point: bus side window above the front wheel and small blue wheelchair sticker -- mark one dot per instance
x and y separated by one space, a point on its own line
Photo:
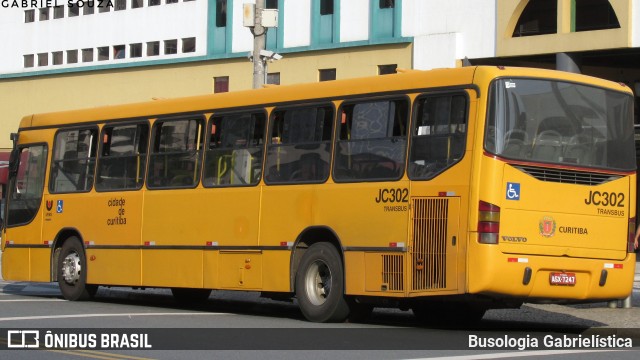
74 159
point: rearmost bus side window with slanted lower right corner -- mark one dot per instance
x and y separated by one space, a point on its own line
438 135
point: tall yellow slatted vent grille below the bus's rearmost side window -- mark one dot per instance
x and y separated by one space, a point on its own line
428 251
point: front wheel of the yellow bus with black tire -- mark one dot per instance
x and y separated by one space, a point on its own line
72 272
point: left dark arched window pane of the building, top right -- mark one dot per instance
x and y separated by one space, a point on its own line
539 17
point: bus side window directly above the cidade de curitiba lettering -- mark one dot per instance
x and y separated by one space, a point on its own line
123 157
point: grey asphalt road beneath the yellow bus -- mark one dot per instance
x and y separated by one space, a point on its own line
237 325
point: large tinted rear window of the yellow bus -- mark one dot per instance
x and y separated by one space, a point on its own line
561 123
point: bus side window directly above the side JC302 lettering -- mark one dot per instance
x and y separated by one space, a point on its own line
372 141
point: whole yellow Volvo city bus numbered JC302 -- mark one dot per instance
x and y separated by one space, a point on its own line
449 191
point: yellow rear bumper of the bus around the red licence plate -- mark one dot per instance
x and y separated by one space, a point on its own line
507 275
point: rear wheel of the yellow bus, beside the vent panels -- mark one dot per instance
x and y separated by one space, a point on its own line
320 285
